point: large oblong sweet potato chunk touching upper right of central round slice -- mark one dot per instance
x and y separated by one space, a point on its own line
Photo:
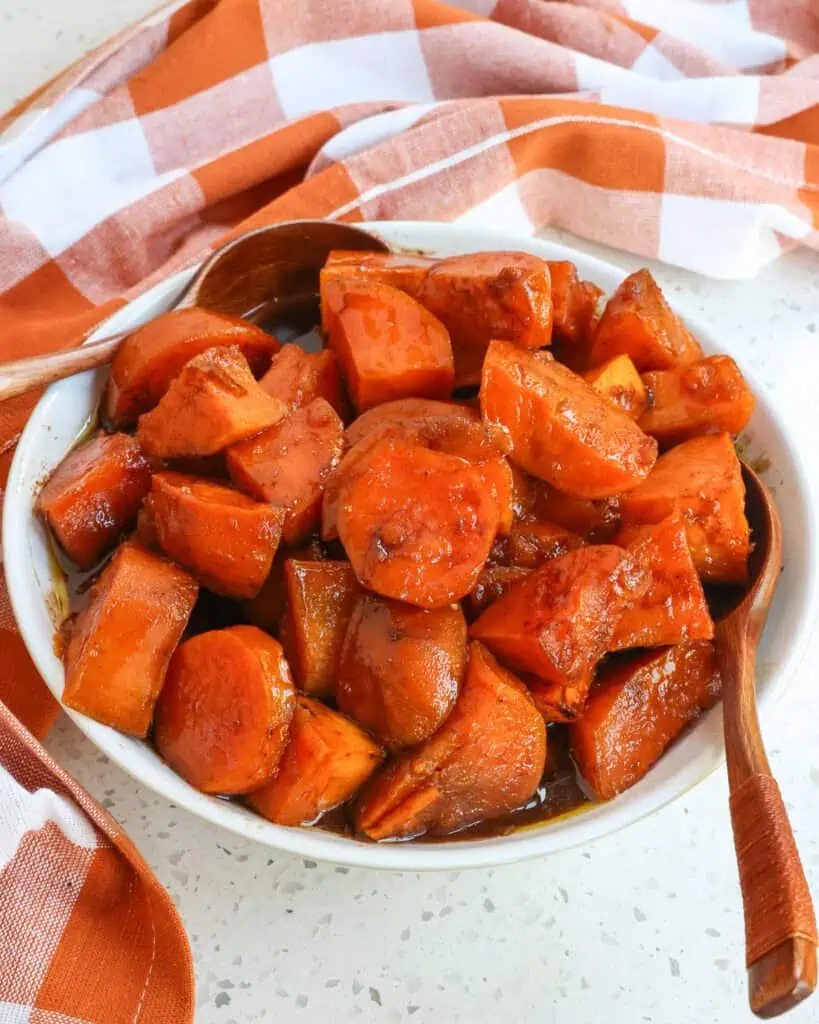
559 430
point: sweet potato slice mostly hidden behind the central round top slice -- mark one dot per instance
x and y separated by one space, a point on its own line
440 426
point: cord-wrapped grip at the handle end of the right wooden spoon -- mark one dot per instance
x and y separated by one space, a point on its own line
781 927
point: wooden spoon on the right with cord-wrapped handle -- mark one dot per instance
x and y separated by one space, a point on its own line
781 928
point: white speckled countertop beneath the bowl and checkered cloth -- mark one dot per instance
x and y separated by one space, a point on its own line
641 927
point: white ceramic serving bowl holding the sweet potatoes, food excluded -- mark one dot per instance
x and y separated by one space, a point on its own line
65 410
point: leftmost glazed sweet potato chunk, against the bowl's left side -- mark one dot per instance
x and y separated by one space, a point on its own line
95 496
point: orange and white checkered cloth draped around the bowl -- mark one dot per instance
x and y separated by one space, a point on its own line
686 131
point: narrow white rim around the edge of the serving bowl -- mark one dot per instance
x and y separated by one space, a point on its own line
552 837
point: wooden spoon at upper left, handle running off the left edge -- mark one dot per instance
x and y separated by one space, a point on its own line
263 275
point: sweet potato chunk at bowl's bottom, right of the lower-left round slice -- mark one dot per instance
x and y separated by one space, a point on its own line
326 762
